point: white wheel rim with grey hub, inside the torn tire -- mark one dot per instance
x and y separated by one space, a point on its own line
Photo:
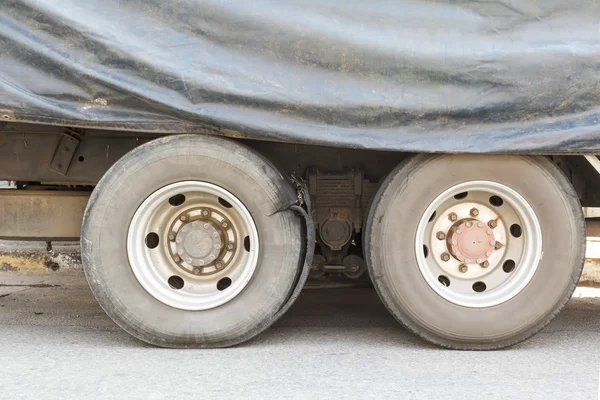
193 245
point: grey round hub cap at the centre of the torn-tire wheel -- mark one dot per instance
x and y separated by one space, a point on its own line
198 243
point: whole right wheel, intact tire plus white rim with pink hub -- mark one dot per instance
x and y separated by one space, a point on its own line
475 252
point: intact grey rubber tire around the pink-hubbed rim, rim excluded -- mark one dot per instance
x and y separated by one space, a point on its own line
390 249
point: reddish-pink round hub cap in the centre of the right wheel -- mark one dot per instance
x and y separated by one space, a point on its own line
471 241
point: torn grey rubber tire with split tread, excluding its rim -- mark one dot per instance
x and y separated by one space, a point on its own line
252 179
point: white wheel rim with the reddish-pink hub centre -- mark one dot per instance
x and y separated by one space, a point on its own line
478 244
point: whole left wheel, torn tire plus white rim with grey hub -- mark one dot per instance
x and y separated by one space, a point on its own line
187 241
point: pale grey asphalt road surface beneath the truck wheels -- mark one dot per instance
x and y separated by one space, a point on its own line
56 343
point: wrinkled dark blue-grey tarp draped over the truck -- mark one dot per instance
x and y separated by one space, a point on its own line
465 76
